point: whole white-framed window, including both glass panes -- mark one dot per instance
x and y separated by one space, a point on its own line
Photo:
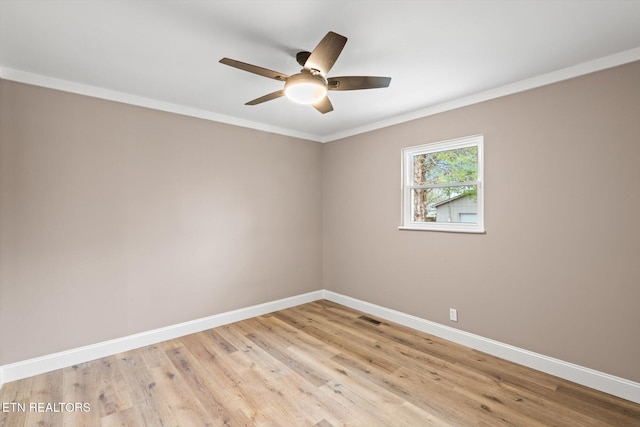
442 187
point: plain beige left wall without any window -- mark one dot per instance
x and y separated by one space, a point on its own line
117 219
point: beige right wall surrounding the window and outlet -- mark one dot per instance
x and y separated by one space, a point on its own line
555 273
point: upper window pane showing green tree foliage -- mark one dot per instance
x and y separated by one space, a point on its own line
446 167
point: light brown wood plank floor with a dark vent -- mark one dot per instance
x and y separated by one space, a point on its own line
318 364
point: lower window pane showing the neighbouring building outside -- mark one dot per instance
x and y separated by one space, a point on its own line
447 204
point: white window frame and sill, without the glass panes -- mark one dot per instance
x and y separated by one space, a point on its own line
407 185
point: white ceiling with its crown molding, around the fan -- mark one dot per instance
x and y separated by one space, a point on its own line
440 54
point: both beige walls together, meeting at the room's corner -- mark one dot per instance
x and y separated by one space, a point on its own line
116 219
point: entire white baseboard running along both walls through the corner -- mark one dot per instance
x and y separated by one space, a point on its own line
616 386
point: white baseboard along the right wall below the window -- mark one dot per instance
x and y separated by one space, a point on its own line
601 381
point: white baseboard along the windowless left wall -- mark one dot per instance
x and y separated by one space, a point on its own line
51 362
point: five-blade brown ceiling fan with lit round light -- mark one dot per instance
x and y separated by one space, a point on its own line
311 84
